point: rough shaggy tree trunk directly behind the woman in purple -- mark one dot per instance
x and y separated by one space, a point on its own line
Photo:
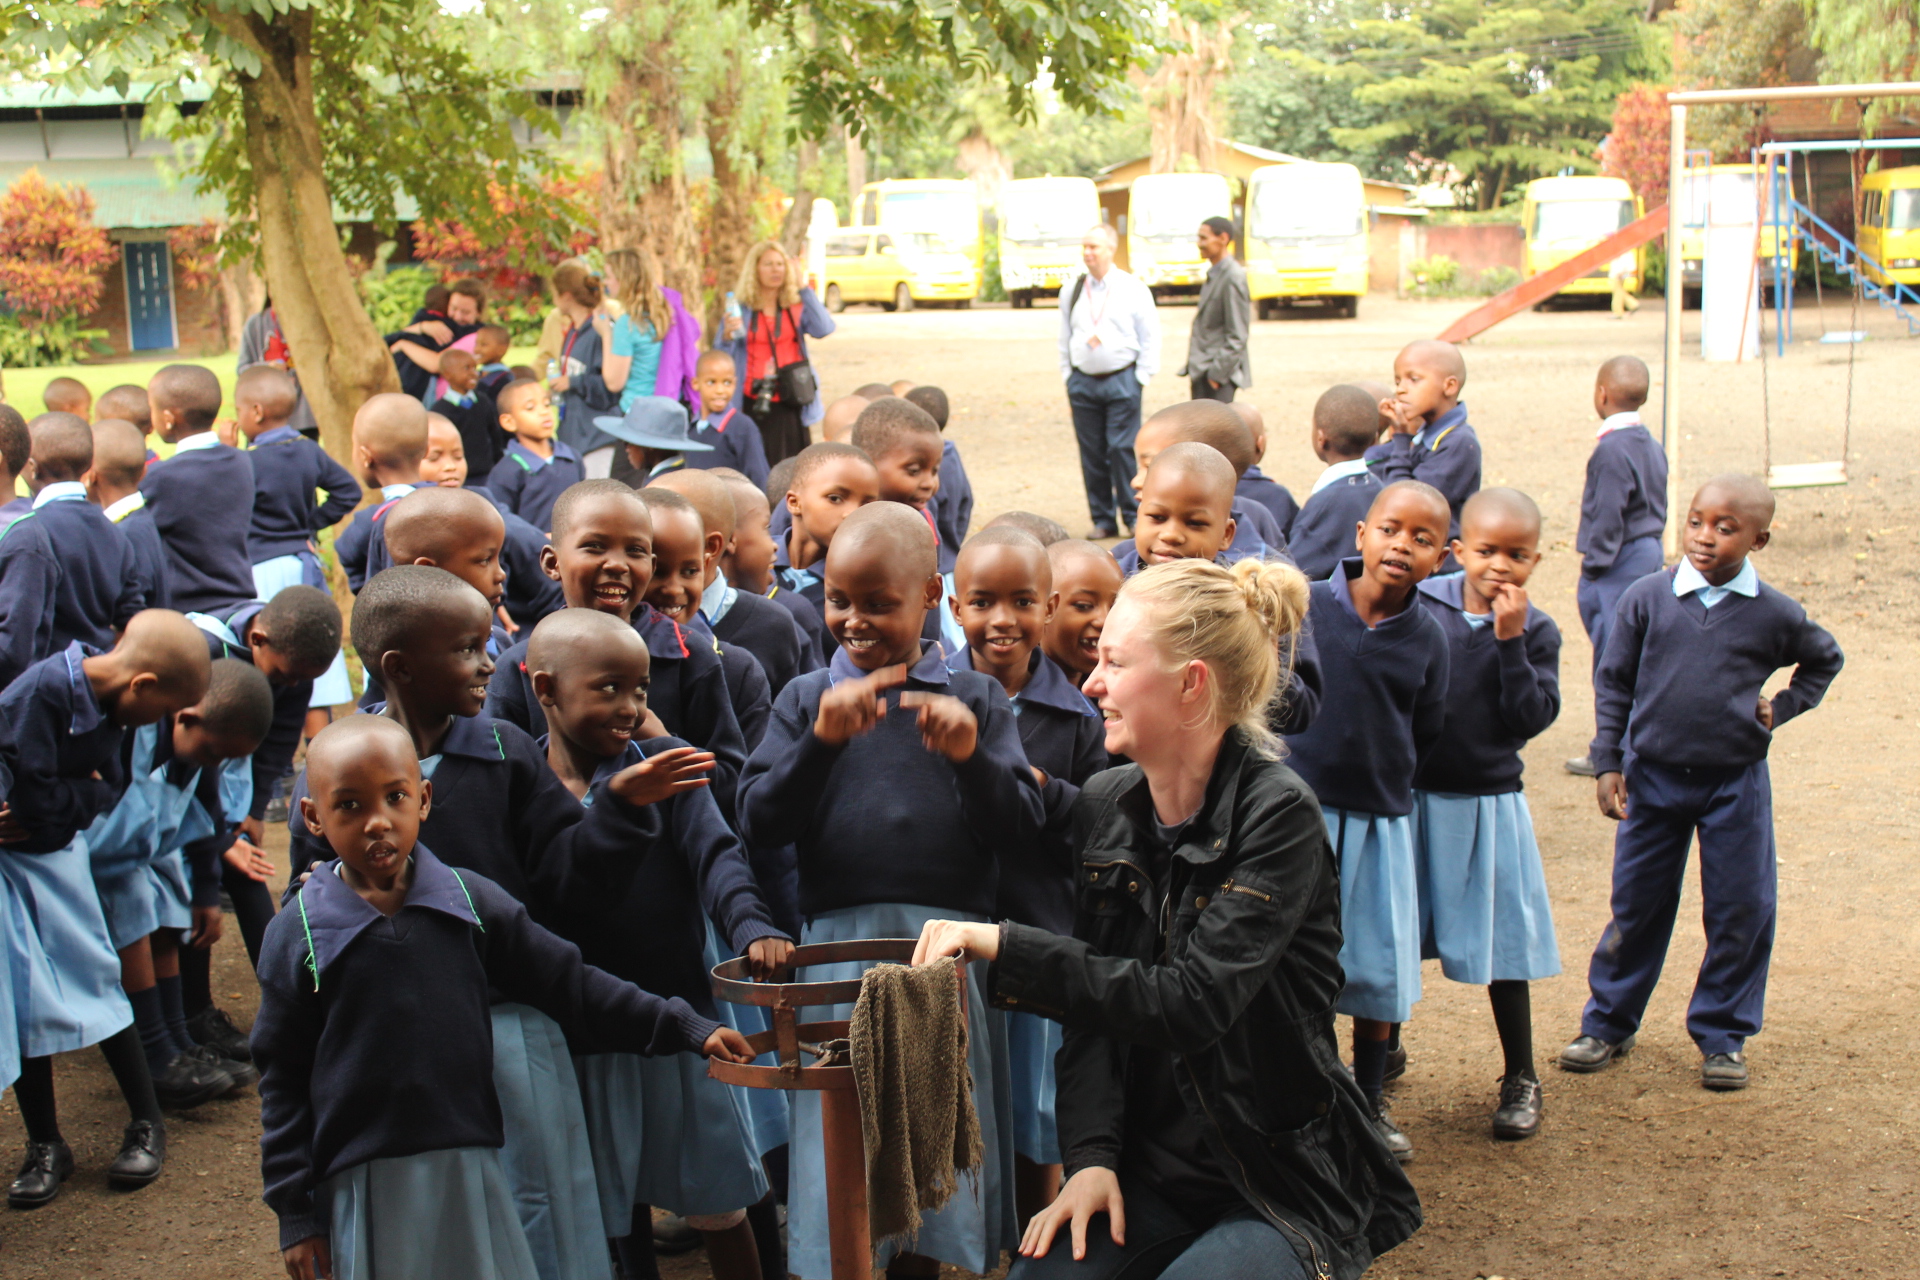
644 199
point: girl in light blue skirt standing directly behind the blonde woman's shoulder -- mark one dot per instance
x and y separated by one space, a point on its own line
1385 661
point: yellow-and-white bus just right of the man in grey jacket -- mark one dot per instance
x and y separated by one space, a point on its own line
1307 237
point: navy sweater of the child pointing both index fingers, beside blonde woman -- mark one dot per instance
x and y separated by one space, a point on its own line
882 818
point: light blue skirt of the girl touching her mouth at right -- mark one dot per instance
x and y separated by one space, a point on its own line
1485 913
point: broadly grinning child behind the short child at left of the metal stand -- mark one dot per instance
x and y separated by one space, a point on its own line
602 556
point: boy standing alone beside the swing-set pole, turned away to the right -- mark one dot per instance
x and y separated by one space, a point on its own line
1623 508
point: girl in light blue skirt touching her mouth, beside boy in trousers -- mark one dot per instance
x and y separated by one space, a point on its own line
1485 909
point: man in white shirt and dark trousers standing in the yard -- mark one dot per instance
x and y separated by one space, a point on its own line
1109 354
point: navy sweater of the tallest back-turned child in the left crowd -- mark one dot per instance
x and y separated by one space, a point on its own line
203 500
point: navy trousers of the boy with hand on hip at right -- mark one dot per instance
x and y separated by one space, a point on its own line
1733 811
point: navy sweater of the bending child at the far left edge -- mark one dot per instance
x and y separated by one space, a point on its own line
55 736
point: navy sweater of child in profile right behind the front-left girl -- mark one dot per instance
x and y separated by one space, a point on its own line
502 813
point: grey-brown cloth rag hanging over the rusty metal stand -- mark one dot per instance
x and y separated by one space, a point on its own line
917 1093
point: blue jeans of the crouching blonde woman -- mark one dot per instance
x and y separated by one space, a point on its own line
1163 1243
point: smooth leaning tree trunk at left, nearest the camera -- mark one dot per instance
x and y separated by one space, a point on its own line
333 343
